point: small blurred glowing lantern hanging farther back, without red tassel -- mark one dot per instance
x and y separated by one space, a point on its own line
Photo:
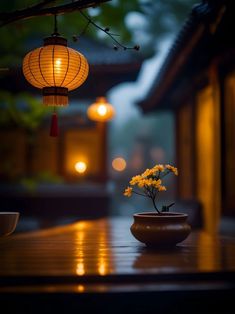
100 110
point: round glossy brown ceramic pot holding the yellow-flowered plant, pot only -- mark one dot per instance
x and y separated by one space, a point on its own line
165 229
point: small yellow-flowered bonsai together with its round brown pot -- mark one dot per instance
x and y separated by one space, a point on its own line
161 227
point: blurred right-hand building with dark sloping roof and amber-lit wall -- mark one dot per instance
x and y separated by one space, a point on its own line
196 82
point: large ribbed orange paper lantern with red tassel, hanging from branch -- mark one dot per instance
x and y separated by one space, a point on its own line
56 69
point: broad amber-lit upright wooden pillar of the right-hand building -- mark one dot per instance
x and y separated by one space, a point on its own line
208 186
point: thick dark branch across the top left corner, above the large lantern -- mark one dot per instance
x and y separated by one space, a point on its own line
40 10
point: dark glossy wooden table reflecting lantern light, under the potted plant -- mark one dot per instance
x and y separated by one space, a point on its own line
97 265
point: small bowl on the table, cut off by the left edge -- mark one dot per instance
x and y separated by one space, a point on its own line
8 222
